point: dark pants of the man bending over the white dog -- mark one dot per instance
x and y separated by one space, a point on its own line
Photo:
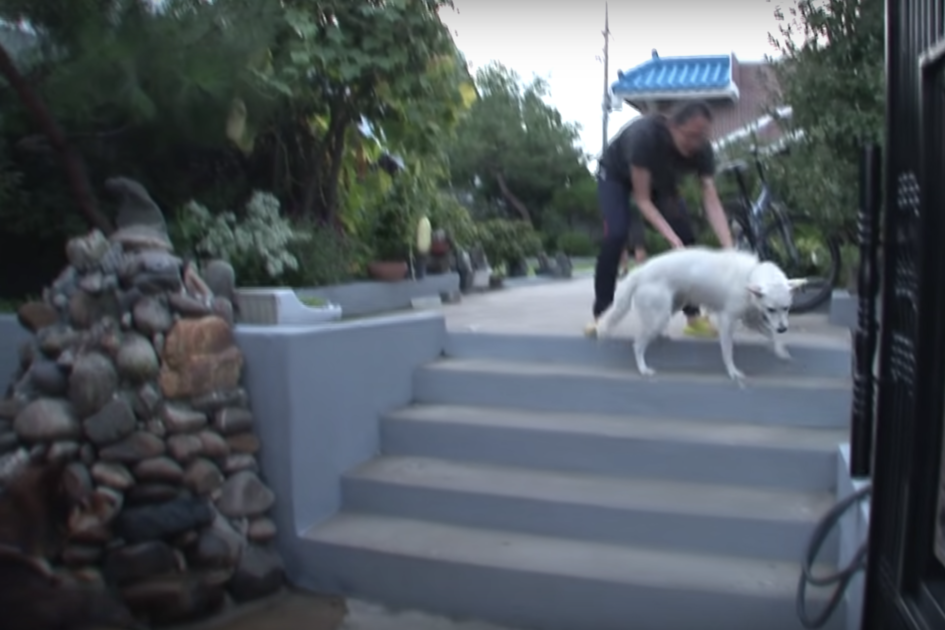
622 224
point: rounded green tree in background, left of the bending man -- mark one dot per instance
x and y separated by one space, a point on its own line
512 148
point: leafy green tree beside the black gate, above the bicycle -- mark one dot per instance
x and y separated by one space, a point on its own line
831 72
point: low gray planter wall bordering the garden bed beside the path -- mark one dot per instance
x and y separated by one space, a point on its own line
367 298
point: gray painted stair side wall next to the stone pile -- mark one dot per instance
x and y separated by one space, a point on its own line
317 393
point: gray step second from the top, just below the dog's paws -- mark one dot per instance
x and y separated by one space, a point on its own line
813 402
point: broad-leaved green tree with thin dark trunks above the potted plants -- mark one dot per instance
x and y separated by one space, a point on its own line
390 63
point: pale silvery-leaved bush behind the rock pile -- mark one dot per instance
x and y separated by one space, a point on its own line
256 244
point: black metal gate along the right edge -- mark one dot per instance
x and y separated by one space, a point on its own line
906 575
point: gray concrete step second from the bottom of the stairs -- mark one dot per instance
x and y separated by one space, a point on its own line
697 517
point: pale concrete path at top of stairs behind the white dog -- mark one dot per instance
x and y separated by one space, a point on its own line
563 307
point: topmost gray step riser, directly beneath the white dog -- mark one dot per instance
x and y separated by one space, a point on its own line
671 355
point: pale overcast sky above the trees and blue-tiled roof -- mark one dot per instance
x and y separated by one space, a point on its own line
562 41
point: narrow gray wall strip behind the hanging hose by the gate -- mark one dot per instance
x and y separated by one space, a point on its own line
854 531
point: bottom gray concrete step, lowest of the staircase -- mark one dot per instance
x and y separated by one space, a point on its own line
545 583
